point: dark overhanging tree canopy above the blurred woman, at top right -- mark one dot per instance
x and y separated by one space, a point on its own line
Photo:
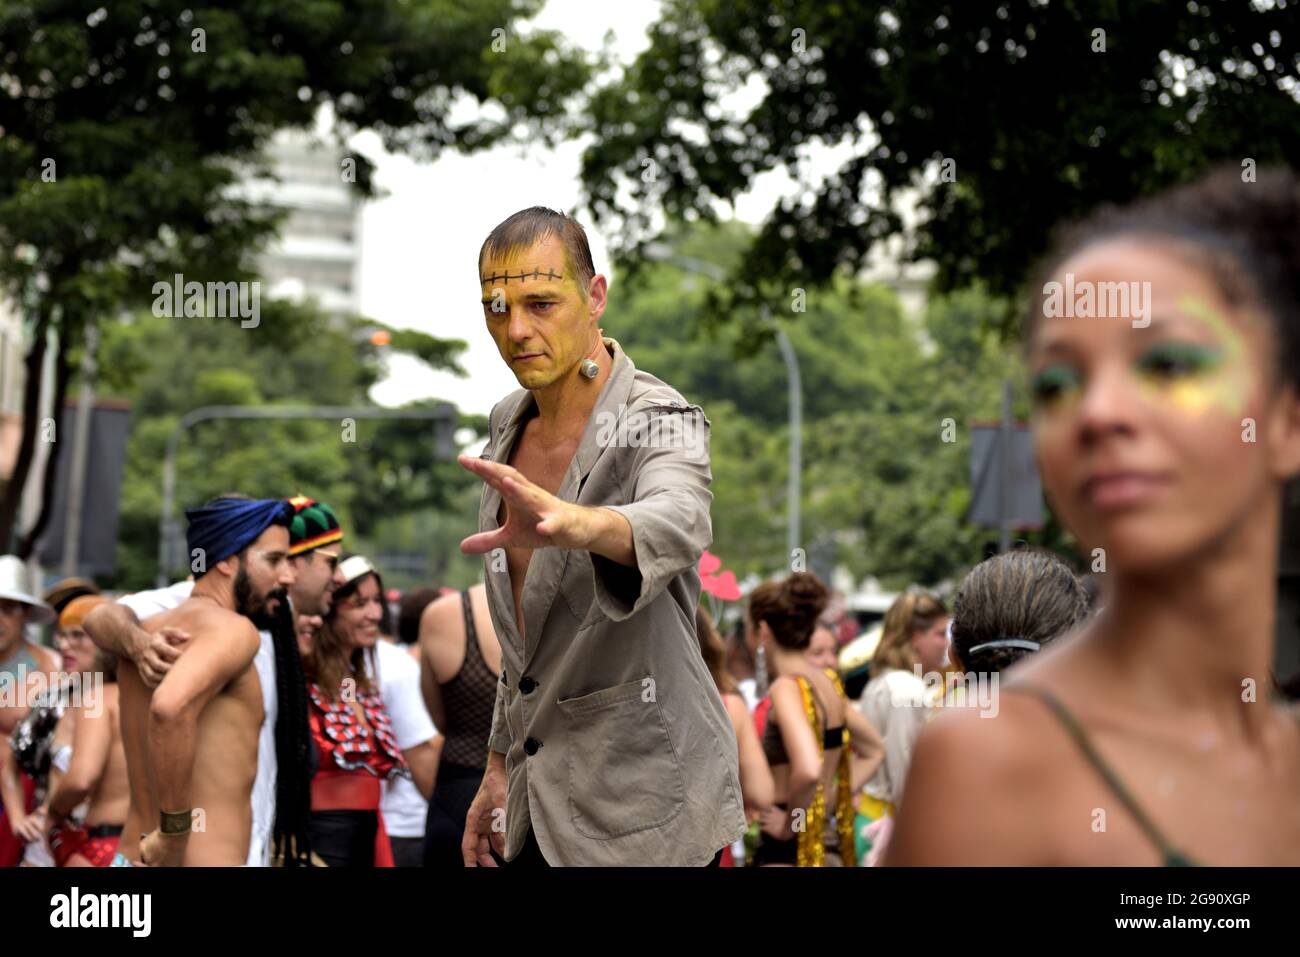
1037 111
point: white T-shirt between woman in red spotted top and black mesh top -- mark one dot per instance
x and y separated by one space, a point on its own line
405 808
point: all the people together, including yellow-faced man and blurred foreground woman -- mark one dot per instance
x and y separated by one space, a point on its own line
582 707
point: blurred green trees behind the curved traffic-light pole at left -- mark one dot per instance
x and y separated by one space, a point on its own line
376 474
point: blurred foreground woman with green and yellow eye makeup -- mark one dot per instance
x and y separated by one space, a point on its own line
1165 434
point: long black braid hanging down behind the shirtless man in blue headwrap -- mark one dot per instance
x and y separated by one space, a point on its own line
292 838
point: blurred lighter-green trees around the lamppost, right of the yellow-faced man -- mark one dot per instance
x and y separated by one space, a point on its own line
882 487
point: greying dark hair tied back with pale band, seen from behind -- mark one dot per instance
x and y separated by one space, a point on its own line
1028 594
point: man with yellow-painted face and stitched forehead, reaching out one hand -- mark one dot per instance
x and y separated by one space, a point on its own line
610 743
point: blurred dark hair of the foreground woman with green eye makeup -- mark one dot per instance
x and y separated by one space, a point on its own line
1246 235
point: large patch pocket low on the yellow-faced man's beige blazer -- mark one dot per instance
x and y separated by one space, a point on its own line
623 772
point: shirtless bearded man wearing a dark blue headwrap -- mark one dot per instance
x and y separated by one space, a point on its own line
192 743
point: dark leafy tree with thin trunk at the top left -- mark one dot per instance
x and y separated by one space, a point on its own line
124 127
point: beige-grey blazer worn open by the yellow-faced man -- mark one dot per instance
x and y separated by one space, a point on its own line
618 746
